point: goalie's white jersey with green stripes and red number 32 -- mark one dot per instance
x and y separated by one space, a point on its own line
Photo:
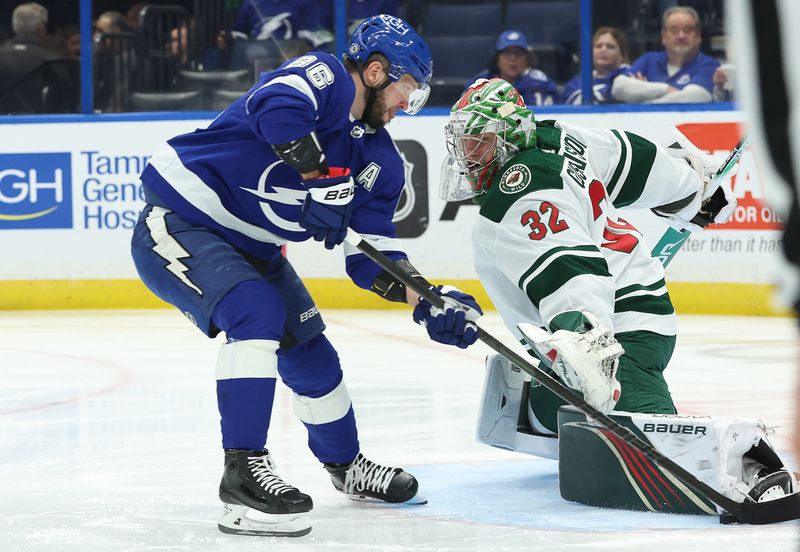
550 243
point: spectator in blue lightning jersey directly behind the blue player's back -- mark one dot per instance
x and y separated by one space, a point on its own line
282 20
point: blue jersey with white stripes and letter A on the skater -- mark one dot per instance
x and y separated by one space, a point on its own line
227 177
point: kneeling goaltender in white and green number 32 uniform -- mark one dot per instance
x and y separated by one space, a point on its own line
577 285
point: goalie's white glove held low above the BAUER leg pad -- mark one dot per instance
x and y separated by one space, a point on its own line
585 361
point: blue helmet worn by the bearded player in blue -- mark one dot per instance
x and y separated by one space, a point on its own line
395 39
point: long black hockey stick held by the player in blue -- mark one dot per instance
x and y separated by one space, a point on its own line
754 513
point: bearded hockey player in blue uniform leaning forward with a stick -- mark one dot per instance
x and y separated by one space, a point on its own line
275 167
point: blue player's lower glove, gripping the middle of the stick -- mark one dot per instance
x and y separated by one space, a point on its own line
455 324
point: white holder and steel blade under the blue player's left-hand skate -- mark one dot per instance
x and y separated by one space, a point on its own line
241 520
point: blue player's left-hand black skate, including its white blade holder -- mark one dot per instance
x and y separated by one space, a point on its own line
257 501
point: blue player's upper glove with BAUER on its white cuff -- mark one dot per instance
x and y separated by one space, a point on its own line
328 206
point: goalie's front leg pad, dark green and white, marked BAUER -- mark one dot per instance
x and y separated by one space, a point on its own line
732 455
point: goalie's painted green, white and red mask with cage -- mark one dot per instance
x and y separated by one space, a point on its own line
487 125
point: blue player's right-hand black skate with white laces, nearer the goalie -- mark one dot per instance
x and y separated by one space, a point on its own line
365 480
